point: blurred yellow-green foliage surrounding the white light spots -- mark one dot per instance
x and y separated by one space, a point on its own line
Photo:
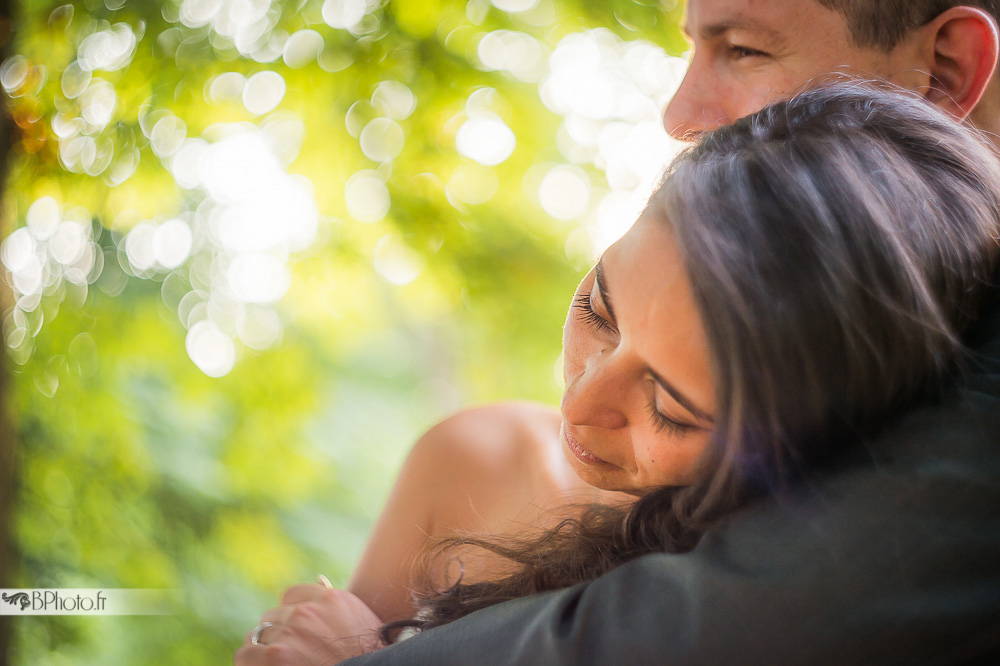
137 470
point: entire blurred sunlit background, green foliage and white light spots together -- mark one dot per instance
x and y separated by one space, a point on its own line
253 248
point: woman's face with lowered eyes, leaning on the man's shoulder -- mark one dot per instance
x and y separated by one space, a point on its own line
639 401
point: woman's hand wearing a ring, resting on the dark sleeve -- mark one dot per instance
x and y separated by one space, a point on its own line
315 624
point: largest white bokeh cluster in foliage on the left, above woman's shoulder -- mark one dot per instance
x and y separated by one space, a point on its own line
235 247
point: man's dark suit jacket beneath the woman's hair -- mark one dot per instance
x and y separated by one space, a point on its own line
894 558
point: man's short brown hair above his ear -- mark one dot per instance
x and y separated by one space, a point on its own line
883 23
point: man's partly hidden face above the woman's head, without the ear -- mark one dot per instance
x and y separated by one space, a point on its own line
750 53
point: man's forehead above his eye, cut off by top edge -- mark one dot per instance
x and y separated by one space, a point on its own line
774 18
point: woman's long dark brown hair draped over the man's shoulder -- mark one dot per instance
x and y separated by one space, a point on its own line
839 246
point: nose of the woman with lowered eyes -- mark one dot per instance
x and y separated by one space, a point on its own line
595 397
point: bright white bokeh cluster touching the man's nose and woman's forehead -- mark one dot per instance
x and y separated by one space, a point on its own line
610 93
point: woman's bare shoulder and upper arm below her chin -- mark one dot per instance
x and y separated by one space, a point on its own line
475 471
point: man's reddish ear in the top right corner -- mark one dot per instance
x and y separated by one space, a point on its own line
965 45
